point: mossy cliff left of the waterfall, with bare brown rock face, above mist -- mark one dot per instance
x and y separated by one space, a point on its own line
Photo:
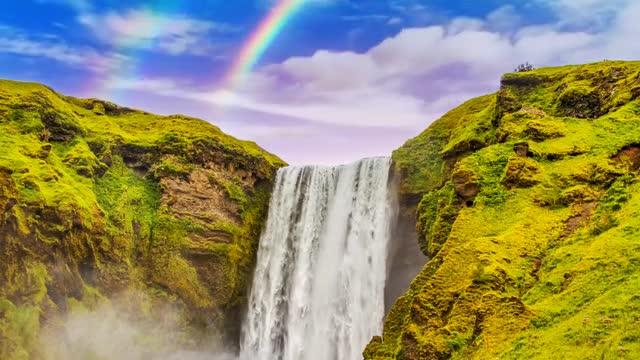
97 201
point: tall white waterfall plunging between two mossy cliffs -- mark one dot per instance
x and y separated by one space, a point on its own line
318 290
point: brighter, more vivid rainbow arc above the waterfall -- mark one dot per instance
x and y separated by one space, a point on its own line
259 41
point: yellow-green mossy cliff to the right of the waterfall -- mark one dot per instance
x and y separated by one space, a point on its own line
528 207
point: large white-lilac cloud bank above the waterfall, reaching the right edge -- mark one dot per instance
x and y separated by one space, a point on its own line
408 80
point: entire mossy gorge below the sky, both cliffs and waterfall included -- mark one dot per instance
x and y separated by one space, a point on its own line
513 217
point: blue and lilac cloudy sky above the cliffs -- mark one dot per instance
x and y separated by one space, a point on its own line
339 80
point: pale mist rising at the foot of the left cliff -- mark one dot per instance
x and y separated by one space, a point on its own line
110 333
